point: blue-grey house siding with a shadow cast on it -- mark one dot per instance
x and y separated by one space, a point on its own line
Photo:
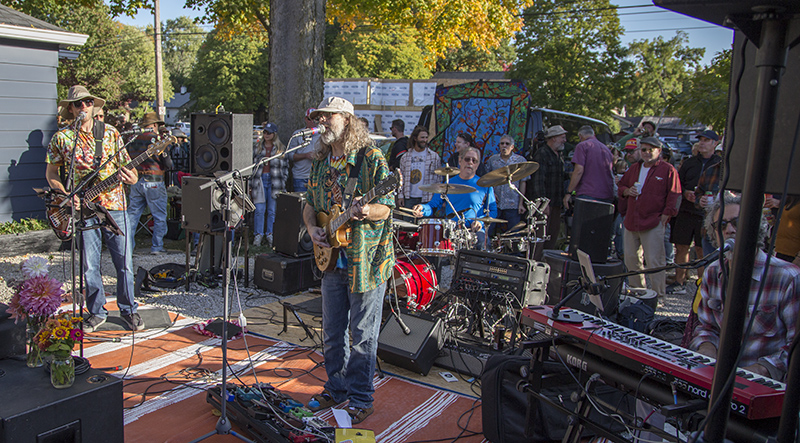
28 76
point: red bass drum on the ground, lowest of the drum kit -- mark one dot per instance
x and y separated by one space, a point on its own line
415 280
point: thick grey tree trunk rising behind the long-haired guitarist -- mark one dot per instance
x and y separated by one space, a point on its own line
297 40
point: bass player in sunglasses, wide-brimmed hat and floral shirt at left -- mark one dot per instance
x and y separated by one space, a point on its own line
80 105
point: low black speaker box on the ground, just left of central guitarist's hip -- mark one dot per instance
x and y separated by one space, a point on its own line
285 275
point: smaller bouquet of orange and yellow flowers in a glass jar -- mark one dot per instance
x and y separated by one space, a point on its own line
57 338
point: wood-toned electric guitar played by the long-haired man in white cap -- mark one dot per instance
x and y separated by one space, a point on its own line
336 226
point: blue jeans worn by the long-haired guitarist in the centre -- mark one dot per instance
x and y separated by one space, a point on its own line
350 370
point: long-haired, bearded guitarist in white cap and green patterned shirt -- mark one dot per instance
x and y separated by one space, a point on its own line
352 293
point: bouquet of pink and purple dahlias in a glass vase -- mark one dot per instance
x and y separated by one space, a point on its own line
37 297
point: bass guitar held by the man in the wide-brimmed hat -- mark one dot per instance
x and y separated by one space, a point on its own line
60 217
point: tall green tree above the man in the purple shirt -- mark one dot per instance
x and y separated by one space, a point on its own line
571 59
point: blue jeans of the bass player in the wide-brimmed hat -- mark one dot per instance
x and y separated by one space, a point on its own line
120 250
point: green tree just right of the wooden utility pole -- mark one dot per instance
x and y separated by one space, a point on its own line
180 42
